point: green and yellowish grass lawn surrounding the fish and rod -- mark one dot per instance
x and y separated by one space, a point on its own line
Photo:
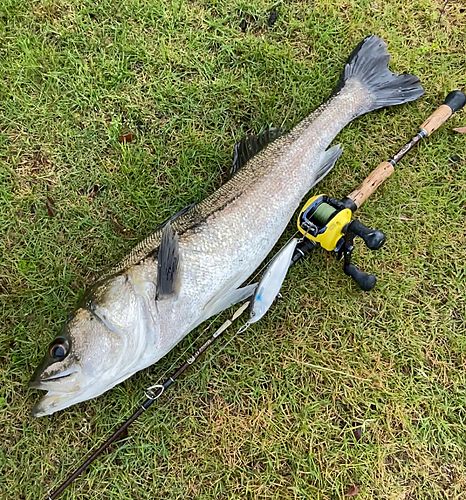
334 387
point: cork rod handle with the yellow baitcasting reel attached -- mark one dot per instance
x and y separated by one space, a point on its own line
328 221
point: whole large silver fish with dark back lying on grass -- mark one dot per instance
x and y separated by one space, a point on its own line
193 266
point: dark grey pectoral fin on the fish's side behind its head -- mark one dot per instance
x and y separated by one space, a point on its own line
168 264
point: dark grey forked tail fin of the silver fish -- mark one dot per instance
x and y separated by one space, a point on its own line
368 63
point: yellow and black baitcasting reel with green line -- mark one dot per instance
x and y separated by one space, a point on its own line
327 221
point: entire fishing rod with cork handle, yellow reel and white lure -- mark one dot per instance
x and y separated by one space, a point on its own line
323 220
